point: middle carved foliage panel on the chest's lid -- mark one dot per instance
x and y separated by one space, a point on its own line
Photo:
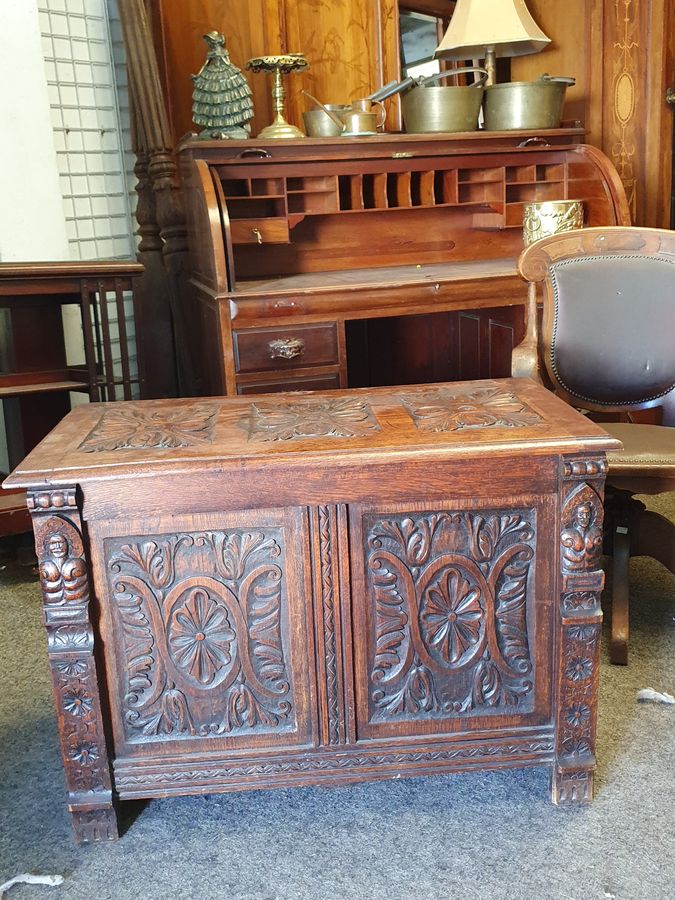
287 420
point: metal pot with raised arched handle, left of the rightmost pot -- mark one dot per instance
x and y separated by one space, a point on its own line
431 108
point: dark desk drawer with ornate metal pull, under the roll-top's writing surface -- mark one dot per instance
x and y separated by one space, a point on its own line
269 349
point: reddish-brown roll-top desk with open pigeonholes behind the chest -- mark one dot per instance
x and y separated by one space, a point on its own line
394 208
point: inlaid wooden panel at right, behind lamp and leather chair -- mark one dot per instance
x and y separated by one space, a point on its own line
622 53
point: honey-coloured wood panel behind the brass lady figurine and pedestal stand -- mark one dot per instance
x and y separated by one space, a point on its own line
352 47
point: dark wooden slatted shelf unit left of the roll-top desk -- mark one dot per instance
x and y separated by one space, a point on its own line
35 380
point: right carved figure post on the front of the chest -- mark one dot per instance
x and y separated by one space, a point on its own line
580 622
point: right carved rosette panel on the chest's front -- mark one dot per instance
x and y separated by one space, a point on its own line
449 628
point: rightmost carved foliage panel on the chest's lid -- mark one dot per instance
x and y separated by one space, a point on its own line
448 409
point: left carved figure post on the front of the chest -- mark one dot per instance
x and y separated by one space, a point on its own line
64 580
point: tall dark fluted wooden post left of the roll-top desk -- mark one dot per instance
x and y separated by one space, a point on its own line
154 145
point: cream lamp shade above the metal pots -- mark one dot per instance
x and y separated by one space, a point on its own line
504 25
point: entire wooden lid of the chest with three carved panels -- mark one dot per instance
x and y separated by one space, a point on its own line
455 420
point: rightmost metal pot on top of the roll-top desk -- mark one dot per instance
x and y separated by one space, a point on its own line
525 104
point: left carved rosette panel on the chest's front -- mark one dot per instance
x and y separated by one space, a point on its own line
200 620
